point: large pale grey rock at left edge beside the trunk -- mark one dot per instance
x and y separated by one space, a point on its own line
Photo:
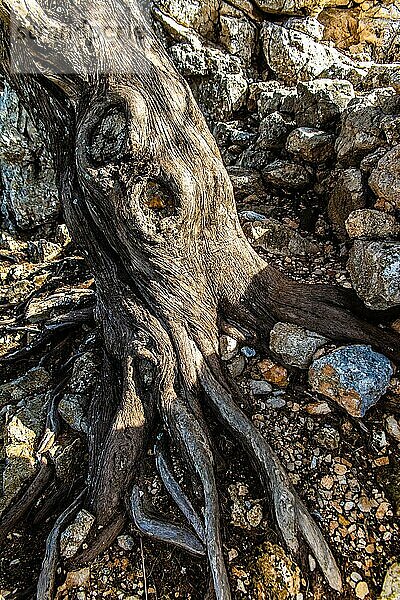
29 194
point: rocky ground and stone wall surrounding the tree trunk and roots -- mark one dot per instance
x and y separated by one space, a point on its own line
303 98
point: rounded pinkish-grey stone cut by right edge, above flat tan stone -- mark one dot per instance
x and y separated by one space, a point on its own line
385 178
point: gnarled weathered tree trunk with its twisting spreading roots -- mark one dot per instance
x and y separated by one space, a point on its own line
149 202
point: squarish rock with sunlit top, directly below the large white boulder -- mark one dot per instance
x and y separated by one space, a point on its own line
320 103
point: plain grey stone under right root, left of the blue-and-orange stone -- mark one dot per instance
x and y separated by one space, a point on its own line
294 345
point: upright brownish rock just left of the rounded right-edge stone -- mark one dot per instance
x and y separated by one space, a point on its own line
347 194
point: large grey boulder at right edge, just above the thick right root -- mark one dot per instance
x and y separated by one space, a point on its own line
374 269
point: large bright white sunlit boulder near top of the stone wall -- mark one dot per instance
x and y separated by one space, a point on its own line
294 56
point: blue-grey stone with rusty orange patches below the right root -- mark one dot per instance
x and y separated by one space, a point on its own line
353 376
